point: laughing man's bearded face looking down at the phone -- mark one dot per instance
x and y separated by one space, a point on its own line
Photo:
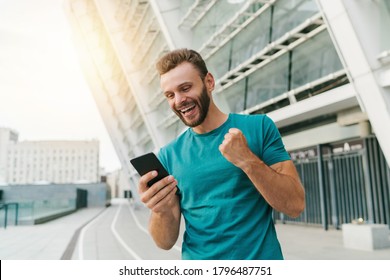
186 93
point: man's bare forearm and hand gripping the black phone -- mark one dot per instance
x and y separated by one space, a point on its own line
164 204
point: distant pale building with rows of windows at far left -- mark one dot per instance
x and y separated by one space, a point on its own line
39 162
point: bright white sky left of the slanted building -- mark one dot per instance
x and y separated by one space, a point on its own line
43 94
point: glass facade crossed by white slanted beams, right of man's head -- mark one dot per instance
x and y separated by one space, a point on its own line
266 59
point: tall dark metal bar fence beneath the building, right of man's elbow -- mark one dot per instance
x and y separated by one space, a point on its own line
343 182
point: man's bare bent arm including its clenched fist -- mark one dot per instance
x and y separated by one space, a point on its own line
279 183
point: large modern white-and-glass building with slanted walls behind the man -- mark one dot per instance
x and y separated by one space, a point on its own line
320 69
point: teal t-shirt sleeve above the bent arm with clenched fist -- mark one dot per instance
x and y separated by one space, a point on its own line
273 147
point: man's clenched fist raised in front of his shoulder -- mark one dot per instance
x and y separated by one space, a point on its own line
235 147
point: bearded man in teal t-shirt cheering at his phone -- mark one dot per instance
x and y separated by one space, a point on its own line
228 172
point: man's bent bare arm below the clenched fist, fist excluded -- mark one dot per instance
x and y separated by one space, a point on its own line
279 185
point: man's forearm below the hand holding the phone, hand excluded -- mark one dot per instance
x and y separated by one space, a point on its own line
164 227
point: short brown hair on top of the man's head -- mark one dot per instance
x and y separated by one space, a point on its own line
172 59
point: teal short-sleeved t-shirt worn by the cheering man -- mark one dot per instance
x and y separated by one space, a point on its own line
225 216
